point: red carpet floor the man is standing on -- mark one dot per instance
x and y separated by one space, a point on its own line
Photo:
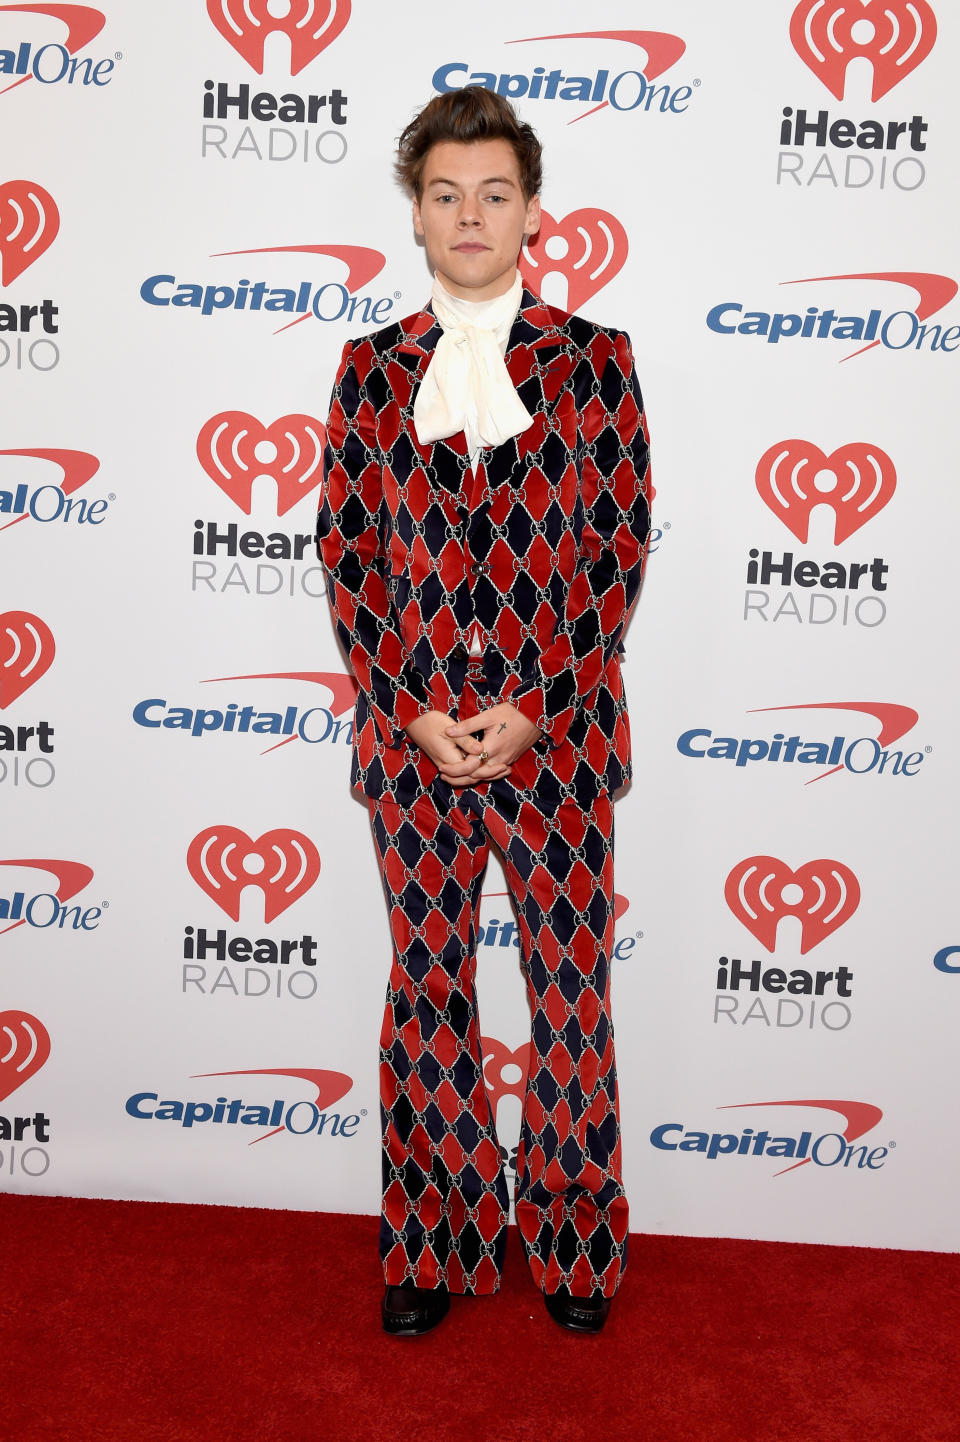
152 1323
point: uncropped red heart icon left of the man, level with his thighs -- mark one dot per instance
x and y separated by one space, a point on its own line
282 864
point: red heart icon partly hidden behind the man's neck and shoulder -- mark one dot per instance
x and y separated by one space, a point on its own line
587 249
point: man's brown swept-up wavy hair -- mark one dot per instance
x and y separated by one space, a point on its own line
468 115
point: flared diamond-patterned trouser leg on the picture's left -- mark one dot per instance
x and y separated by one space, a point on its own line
445 1192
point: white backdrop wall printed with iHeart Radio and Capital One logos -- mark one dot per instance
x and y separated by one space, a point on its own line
197 211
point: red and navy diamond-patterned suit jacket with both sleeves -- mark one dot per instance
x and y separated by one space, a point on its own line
544 549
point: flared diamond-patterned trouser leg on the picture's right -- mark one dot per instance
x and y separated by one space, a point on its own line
570 1200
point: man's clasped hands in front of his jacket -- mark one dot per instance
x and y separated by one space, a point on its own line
479 749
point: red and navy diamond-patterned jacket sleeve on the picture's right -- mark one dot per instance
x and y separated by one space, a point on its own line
616 528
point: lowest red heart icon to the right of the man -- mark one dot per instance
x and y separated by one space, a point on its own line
763 890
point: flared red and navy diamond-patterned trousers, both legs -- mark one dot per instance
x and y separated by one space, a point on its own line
445 1189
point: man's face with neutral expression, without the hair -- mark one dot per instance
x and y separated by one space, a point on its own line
474 216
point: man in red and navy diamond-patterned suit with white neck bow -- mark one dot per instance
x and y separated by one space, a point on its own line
484 527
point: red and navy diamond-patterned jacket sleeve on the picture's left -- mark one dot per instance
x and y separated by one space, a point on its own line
351 547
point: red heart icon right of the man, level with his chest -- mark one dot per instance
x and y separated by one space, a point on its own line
855 482
